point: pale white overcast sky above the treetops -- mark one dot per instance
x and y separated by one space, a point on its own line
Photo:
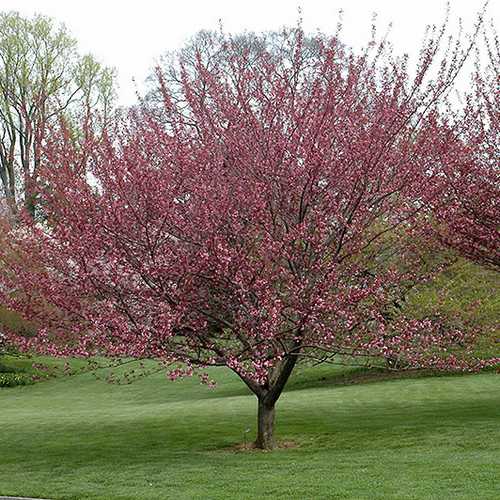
131 35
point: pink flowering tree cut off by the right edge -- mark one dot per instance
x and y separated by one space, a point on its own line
470 218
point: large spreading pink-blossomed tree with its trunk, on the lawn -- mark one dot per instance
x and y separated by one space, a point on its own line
275 213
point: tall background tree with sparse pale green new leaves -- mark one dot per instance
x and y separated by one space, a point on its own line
42 79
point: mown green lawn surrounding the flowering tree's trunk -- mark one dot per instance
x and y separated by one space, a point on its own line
422 438
